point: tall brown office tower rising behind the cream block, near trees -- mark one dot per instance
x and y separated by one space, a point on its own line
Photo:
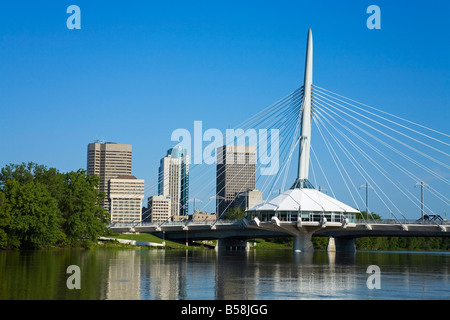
108 161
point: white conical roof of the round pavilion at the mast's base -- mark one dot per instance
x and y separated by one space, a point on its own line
304 200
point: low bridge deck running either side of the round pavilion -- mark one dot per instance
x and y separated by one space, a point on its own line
242 230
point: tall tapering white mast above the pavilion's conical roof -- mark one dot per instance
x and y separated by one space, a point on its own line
305 137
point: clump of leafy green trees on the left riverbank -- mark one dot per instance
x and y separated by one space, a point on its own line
42 206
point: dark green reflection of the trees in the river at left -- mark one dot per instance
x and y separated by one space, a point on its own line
32 275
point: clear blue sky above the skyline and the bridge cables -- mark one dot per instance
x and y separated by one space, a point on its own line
137 70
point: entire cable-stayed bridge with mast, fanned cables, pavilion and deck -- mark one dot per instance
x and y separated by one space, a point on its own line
343 146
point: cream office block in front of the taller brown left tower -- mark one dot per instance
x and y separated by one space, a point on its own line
125 195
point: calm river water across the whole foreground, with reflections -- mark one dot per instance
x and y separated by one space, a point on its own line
211 275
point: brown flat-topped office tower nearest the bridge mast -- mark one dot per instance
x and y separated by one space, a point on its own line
236 173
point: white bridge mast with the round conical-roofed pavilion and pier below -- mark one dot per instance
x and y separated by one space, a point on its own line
303 210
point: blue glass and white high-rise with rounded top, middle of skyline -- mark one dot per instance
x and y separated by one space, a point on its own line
173 180
